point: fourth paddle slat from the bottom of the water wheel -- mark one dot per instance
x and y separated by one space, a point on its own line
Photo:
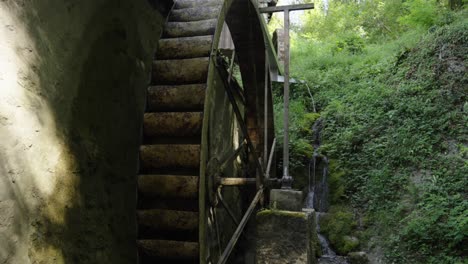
153 157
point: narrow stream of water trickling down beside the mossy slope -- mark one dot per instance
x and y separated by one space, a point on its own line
317 197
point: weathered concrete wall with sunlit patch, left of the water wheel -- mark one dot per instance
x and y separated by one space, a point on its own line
72 82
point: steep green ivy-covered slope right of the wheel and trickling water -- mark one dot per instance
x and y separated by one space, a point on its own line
395 121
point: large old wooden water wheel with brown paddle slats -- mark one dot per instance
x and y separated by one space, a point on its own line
201 126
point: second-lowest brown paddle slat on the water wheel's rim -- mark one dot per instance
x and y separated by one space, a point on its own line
167 220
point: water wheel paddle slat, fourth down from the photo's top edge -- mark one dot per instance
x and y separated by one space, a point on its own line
185 47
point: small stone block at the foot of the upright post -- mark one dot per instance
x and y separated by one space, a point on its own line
286 199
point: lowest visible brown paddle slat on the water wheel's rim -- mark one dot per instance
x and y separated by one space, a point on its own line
169 249
